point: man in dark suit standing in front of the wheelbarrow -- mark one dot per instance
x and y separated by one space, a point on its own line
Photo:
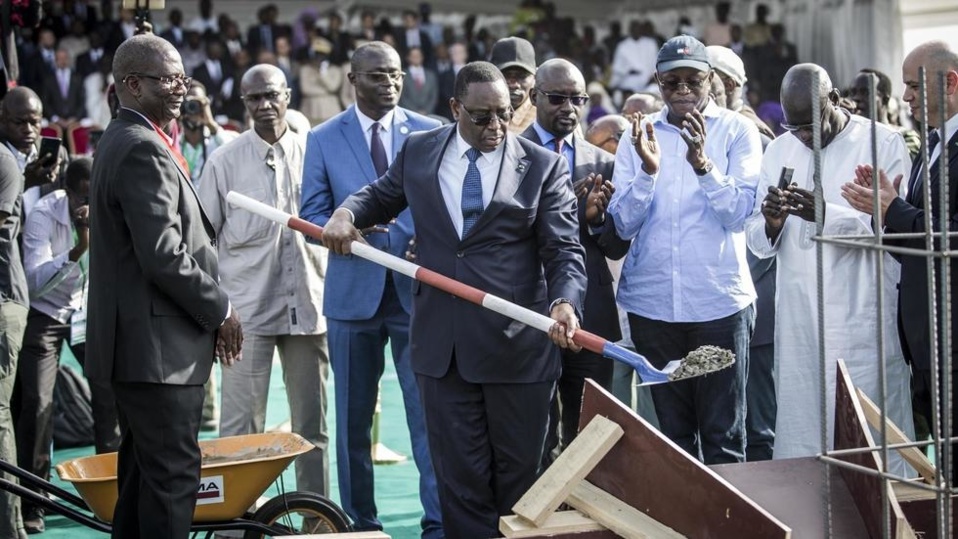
156 312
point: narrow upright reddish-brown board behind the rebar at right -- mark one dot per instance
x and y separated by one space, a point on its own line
852 432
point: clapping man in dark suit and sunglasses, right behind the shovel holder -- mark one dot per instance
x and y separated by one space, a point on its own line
559 97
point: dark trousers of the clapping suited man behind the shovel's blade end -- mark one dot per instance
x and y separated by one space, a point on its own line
567 401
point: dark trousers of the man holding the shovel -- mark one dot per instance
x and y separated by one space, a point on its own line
486 441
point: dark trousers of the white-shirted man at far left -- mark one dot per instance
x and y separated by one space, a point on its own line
36 378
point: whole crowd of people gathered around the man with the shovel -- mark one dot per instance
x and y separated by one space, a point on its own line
658 192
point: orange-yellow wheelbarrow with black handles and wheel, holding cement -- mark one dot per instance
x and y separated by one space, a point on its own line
236 471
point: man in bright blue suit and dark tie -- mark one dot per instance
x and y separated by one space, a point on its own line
365 303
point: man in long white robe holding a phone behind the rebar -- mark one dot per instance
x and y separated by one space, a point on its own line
783 225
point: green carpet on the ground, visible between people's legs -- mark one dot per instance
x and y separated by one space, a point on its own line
397 491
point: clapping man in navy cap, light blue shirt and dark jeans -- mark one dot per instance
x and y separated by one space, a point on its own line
683 189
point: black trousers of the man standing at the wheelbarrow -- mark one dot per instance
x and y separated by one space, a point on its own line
158 466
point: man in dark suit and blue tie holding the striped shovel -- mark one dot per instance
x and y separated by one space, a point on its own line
498 213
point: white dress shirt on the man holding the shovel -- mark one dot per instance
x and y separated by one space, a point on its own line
452 173
